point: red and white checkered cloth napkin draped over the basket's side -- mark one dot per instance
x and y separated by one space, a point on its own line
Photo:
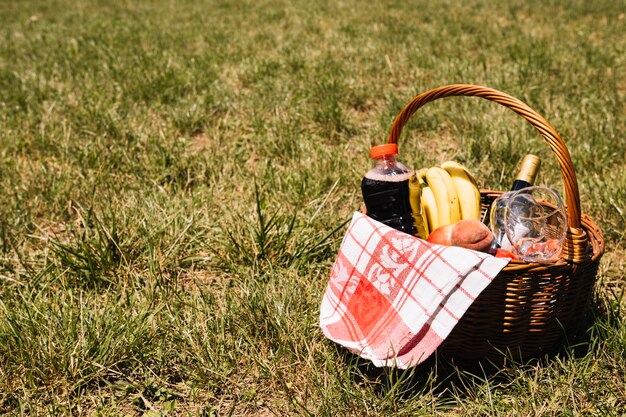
393 298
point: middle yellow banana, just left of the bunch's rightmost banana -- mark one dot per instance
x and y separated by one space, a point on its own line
448 209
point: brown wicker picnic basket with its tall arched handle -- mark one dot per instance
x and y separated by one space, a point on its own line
529 307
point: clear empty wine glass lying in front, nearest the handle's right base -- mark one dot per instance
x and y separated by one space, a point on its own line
535 223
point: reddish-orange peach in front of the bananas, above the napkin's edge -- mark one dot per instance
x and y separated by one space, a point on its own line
468 233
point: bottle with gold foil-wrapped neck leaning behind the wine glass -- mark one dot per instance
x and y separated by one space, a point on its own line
525 178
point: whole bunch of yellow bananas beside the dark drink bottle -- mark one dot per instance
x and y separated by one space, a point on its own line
442 195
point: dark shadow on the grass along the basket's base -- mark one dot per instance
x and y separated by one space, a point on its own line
452 378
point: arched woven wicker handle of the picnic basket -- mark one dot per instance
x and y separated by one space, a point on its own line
555 142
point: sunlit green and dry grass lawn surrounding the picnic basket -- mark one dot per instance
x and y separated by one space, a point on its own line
175 177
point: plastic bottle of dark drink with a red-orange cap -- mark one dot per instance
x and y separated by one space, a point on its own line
385 189
